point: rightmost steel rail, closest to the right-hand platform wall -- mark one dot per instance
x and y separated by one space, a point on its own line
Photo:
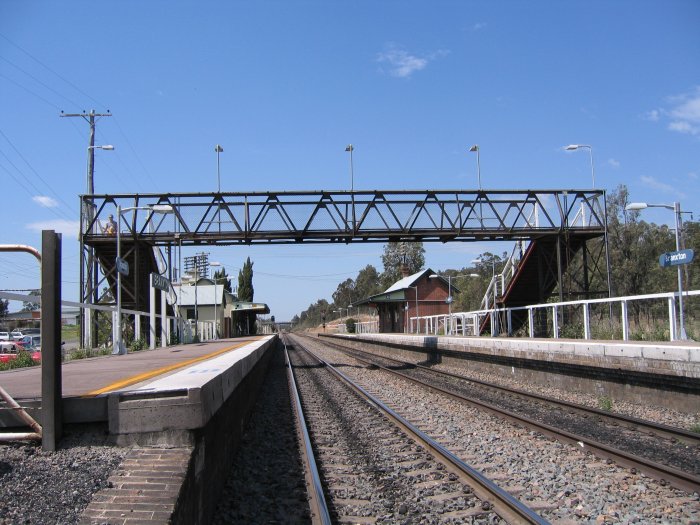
665 431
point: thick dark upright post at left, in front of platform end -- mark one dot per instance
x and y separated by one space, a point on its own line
51 385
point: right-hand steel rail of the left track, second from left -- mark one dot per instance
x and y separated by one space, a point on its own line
504 504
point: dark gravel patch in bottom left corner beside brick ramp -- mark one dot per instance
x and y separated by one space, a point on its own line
40 487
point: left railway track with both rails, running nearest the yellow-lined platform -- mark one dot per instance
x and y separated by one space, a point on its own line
376 466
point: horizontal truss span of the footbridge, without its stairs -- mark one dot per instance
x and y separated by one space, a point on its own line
347 216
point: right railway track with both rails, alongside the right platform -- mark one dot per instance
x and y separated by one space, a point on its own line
665 453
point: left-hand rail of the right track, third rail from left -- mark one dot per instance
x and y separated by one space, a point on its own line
678 478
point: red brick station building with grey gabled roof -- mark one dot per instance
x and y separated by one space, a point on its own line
421 294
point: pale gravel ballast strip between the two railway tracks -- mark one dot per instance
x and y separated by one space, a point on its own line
562 482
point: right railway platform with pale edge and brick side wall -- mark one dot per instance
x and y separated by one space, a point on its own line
660 373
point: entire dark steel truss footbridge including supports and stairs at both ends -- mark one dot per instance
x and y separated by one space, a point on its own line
562 221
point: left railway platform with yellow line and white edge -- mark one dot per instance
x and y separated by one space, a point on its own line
166 392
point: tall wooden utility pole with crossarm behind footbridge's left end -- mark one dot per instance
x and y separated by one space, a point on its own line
88 264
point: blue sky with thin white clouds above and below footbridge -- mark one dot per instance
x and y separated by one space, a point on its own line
285 86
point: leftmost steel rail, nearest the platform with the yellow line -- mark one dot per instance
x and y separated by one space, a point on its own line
317 501
